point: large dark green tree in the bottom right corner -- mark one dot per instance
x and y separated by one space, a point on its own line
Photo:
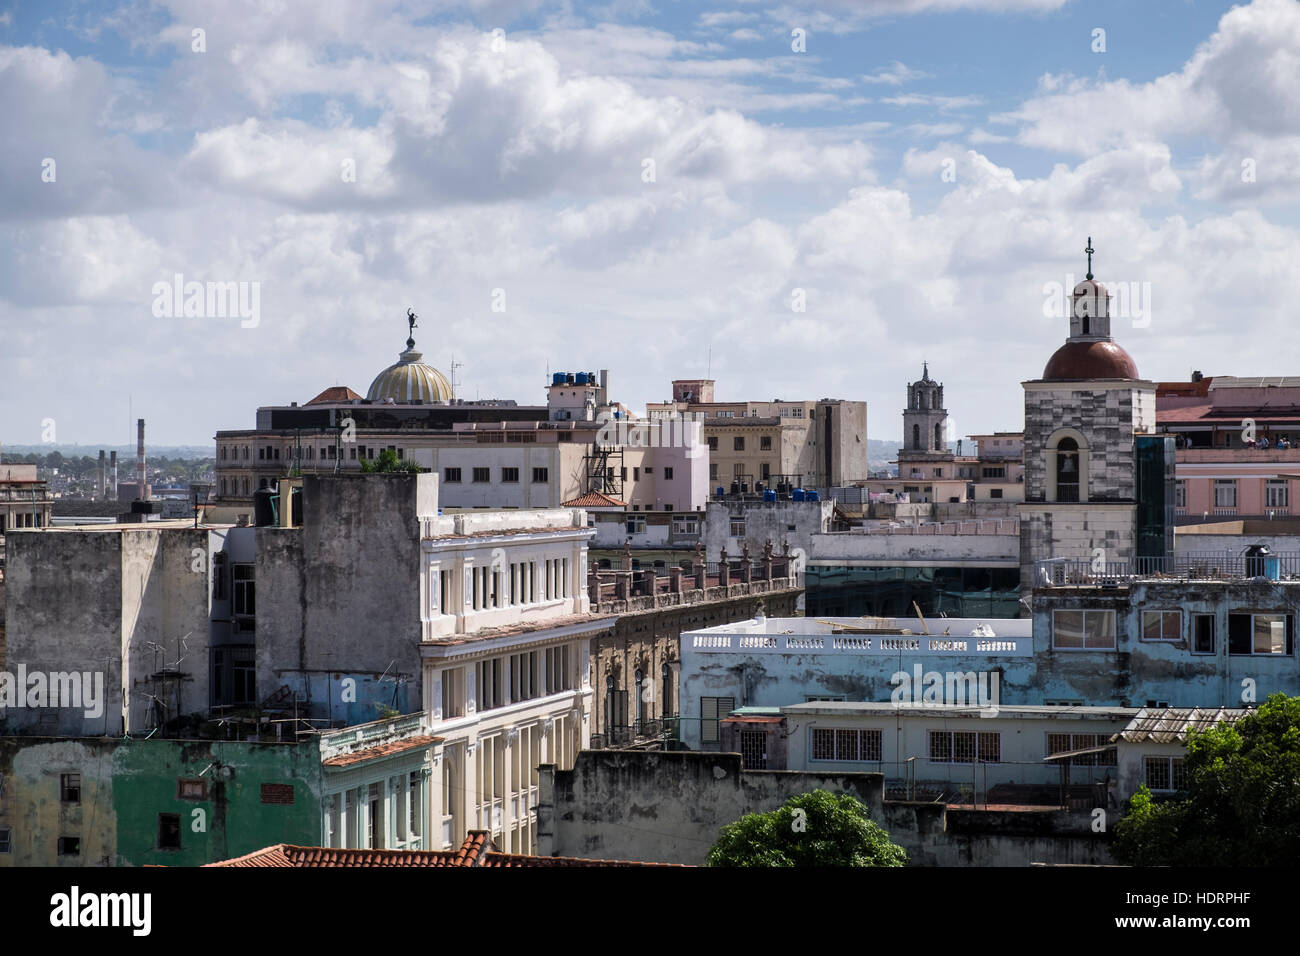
1242 804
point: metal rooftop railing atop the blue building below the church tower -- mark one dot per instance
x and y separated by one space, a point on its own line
1204 566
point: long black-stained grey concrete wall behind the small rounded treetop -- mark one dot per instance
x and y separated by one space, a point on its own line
670 808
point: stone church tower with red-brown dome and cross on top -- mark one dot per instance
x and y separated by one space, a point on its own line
1085 471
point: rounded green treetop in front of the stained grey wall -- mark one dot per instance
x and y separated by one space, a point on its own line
817 829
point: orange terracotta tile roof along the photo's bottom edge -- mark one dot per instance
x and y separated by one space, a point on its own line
476 851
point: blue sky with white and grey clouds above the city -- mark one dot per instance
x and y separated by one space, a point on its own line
808 200
